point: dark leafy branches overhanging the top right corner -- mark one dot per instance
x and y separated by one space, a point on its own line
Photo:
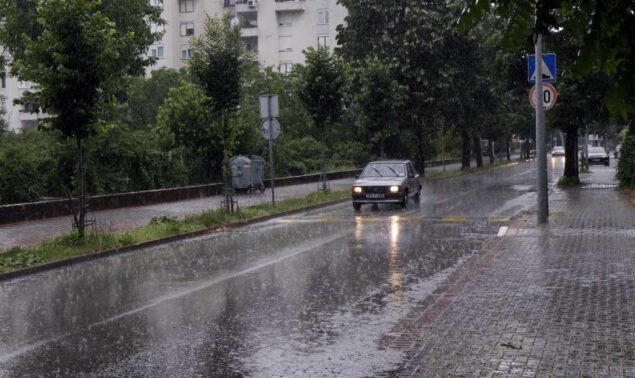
604 30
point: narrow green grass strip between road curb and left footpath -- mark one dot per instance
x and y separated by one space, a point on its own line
72 245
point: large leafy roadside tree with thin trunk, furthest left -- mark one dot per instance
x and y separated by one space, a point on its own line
76 52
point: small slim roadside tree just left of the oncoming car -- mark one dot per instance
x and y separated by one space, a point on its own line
322 81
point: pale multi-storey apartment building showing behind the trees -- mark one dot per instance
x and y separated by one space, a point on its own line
276 30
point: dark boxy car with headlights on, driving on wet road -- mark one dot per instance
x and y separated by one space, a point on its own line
389 181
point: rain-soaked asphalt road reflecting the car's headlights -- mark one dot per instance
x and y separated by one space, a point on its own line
309 295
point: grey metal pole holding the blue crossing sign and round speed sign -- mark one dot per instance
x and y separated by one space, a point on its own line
541 151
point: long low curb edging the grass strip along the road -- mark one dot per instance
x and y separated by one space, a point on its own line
153 243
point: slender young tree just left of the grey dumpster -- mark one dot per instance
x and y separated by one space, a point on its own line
216 65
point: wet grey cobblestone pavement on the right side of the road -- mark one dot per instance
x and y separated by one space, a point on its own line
553 300
